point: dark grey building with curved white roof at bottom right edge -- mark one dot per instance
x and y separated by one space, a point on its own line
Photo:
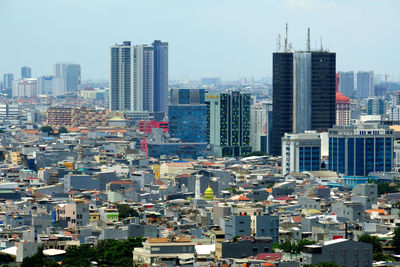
343 252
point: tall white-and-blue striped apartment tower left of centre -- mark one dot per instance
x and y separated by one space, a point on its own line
139 77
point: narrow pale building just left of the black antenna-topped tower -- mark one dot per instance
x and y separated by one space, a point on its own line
260 127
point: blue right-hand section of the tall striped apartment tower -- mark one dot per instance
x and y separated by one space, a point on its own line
160 95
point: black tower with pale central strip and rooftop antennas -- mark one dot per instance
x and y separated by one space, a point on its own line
304 93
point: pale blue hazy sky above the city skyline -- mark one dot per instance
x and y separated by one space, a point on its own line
226 38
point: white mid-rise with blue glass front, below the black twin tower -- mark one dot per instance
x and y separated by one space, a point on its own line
301 152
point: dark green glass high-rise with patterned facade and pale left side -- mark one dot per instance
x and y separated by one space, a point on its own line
228 123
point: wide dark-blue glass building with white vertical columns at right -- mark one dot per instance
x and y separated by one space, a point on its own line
359 150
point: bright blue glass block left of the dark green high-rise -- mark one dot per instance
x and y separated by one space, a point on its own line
187 115
